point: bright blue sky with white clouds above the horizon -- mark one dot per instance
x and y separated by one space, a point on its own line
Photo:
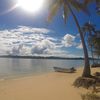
28 33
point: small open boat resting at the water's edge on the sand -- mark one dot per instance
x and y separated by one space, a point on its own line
64 70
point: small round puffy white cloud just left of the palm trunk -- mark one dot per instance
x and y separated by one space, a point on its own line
68 40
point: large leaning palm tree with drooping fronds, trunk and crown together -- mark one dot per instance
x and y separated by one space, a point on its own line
68 7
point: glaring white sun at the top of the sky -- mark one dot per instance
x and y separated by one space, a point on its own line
30 5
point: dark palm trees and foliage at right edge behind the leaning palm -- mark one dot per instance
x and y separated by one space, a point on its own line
93 39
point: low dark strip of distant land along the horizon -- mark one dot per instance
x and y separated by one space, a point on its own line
41 57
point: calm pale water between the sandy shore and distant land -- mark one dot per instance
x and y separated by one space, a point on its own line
10 67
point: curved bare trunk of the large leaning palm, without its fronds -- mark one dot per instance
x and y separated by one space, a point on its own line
86 71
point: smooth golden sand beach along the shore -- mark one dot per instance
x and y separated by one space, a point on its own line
48 86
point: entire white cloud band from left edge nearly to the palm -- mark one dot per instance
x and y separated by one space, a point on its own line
25 40
